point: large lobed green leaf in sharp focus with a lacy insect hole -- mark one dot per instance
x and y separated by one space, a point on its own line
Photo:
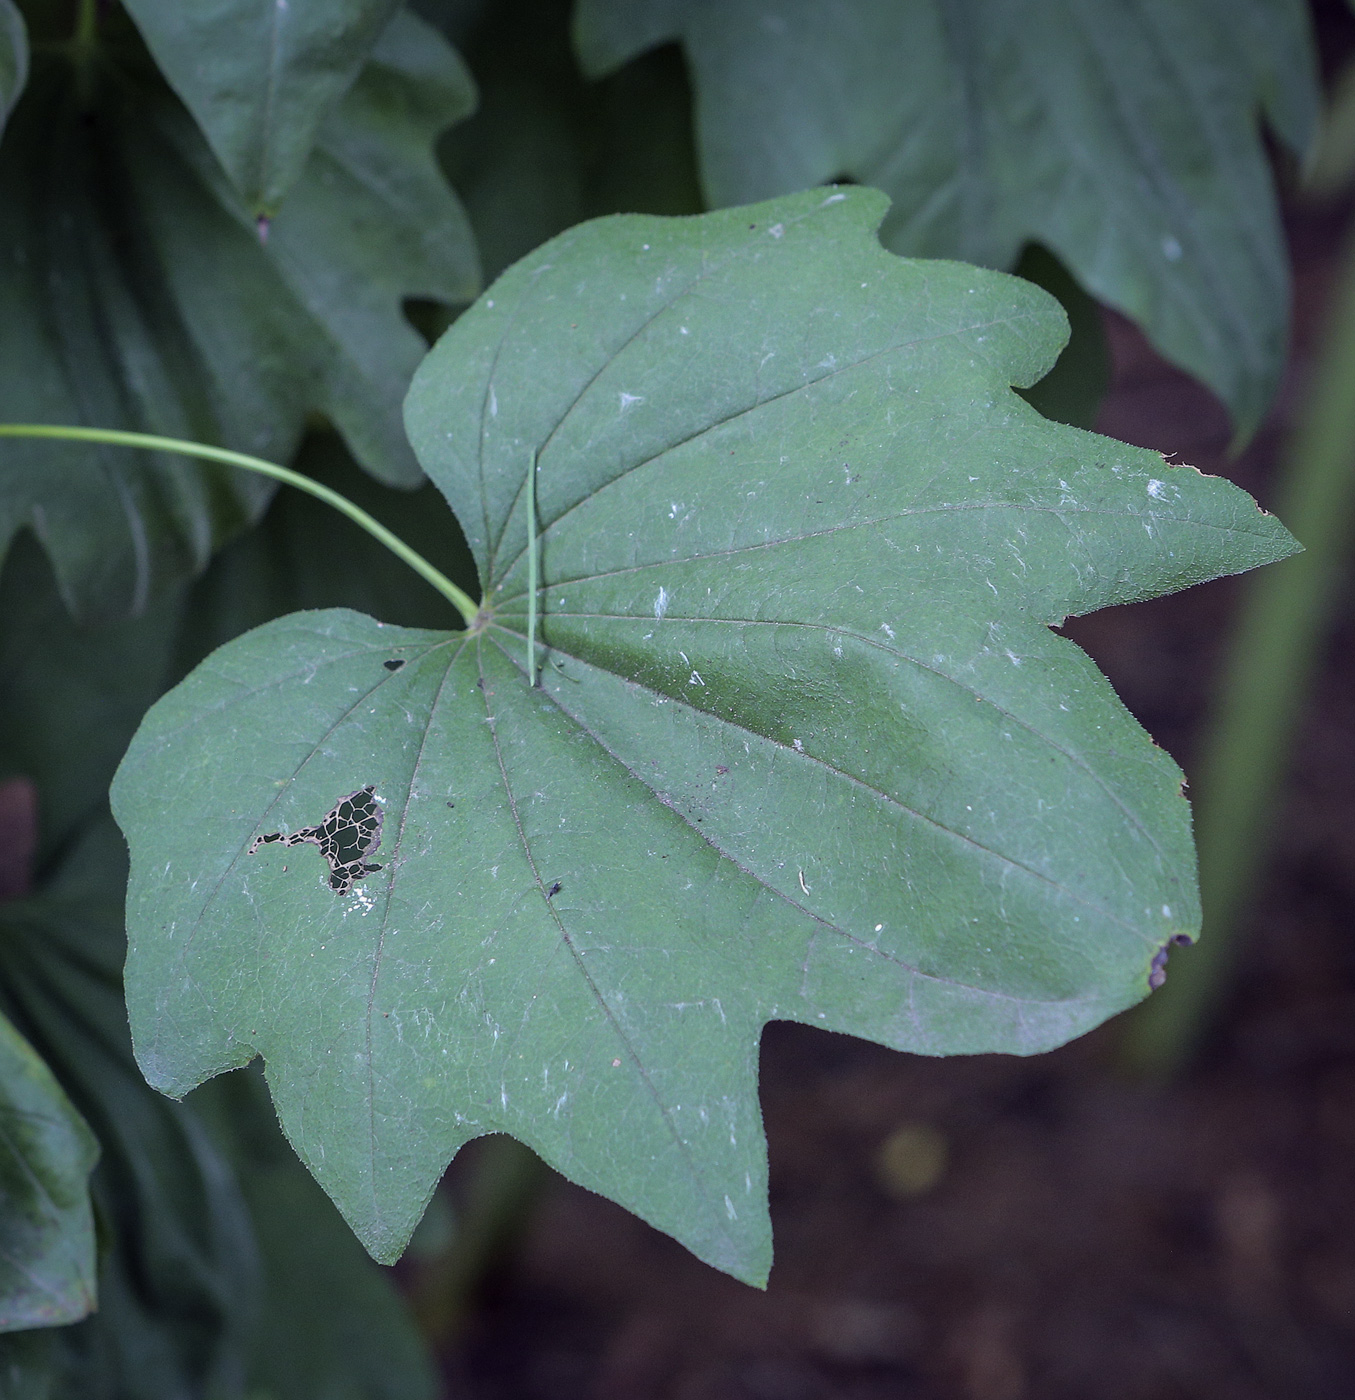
804 747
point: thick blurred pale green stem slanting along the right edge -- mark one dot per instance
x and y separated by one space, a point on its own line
1263 694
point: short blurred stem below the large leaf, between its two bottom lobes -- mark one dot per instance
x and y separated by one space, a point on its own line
506 1182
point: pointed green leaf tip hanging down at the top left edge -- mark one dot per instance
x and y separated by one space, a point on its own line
261 78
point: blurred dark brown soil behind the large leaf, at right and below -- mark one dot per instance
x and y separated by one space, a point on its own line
996 1228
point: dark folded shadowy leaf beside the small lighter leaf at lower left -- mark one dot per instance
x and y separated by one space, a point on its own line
180 1282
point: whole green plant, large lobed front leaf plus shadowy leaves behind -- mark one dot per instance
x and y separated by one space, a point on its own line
761 713
